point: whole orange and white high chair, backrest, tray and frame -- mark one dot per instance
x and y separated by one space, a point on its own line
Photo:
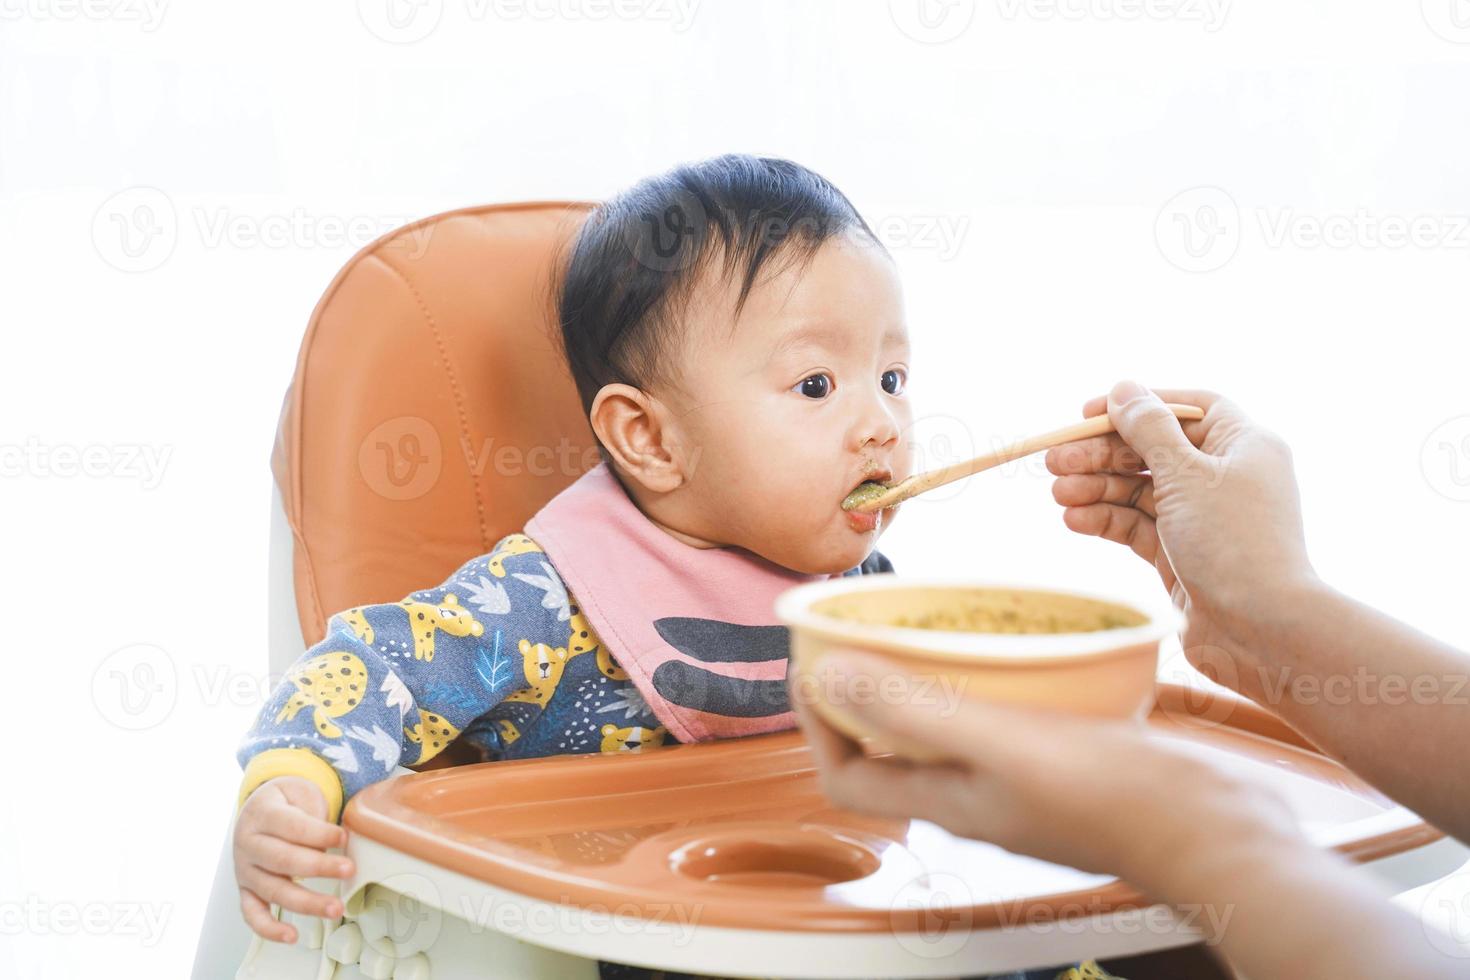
430 415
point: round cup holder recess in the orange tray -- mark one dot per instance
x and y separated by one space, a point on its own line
789 859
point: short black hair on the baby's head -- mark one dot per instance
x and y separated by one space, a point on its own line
636 259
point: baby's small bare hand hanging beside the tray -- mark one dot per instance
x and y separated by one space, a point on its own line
283 834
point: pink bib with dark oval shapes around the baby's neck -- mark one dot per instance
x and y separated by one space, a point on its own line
695 628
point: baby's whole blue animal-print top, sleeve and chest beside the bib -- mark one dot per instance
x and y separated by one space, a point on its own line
493 656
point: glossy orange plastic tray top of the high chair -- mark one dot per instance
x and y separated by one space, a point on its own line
742 832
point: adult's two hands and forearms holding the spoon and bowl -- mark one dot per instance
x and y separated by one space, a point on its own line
1212 506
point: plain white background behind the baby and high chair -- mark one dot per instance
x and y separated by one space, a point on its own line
1024 159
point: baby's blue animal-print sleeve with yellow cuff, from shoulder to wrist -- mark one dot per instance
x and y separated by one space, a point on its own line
395 684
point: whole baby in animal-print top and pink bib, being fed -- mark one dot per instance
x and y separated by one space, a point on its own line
737 336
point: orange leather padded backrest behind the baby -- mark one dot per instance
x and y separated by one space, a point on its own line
431 412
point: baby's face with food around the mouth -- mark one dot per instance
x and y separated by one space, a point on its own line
806 397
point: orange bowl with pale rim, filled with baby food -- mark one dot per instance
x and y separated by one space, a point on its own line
949 641
